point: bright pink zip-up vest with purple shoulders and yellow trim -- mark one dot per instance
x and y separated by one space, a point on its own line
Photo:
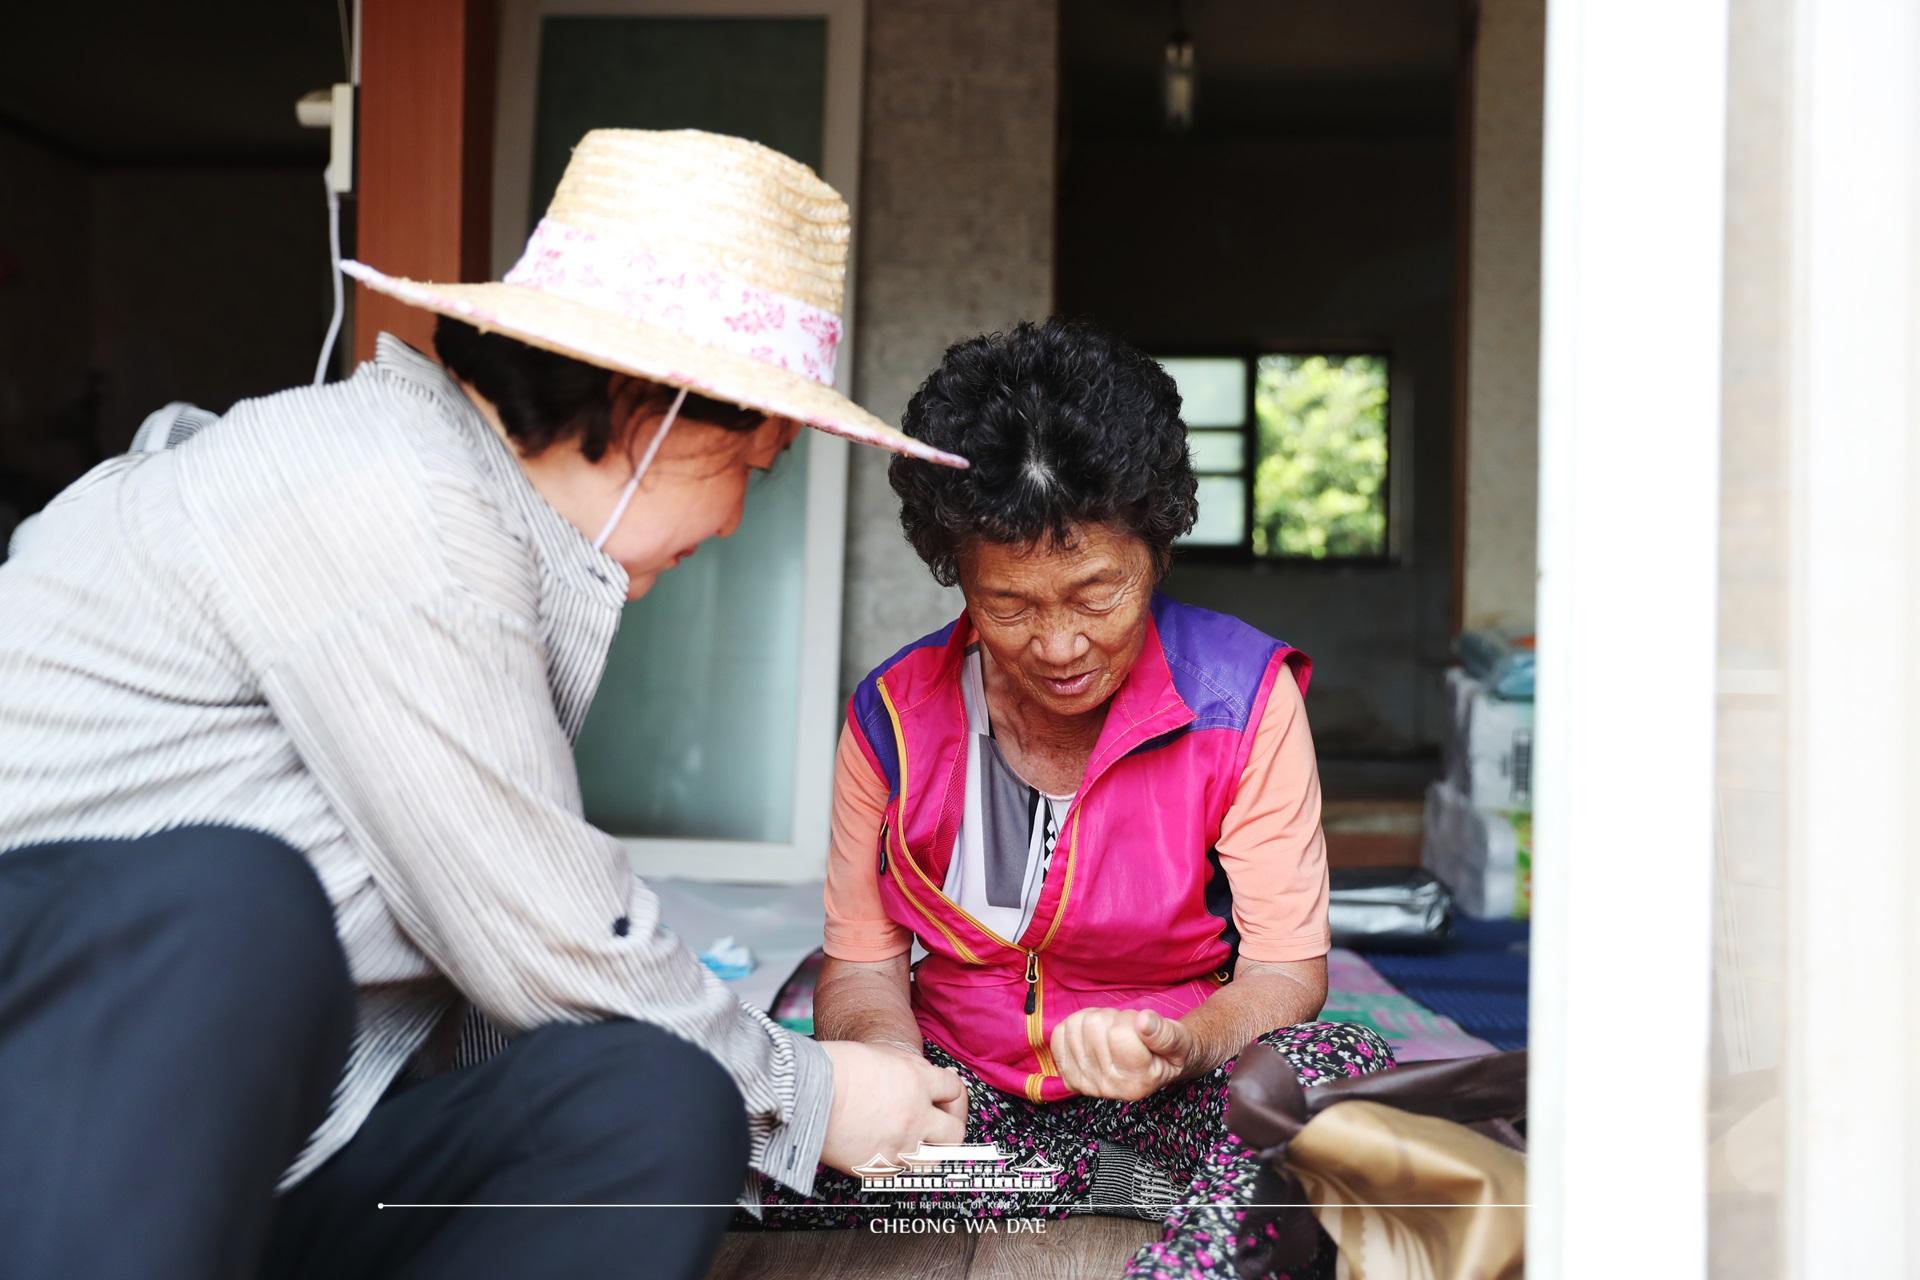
1136 911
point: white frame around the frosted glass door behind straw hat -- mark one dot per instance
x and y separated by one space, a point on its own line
817 724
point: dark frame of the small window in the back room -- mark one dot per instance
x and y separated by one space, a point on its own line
1243 556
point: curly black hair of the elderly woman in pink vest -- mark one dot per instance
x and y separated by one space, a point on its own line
1065 425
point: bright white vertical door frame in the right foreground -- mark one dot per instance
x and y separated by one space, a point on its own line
1627 607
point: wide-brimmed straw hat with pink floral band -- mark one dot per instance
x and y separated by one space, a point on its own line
692 260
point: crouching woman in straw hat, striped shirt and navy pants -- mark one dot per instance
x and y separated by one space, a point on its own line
289 797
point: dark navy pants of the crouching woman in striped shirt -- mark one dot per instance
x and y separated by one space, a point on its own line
174 1018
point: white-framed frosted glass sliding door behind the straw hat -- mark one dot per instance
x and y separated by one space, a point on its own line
709 747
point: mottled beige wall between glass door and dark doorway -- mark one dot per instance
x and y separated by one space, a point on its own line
955 237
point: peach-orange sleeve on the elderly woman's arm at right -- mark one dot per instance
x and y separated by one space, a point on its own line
1272 843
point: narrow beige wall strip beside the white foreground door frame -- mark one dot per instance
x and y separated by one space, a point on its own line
1504 316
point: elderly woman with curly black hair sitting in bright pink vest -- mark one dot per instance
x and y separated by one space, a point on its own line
1093 807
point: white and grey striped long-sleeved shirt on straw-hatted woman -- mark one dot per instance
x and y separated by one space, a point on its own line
345 617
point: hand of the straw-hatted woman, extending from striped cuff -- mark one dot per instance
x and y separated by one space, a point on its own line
888 1101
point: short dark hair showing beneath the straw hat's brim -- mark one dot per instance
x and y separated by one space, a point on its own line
544 398
